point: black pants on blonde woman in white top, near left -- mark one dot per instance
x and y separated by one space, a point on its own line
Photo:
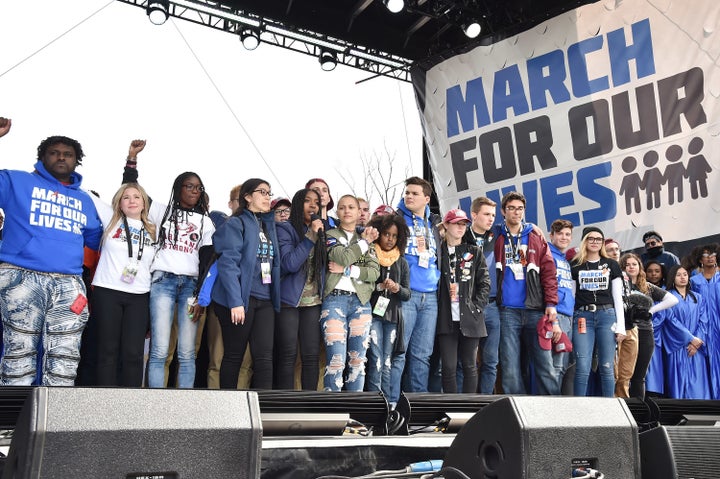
122 321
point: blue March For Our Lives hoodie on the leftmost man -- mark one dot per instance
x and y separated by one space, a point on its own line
47 223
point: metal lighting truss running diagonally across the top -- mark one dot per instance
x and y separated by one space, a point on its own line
215 15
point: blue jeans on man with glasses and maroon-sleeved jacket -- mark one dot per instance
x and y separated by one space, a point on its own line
518 328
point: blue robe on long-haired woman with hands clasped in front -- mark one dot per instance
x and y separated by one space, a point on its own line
687 376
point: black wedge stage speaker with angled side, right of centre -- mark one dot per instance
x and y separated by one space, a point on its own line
541 437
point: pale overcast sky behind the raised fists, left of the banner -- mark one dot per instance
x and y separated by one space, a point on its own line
116 77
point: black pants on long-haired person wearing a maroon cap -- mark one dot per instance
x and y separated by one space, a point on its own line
450 346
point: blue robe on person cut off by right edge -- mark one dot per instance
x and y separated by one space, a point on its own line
710 291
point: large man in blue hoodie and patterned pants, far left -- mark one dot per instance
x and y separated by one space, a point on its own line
48 220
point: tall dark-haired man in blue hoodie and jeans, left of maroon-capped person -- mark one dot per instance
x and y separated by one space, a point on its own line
420 312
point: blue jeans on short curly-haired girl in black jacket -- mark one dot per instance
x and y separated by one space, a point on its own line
382 342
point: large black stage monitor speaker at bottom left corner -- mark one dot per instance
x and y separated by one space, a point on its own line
136 433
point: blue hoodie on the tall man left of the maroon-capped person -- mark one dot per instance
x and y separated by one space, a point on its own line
423 280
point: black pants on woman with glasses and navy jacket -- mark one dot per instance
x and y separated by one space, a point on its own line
257 330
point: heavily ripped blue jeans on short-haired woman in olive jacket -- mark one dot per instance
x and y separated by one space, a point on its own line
345 324
